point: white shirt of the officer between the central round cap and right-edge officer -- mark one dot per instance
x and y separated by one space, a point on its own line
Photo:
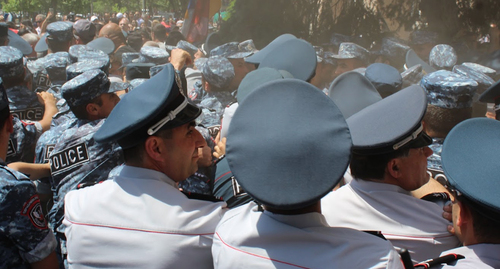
406 221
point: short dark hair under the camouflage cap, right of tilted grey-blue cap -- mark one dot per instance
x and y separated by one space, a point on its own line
440 120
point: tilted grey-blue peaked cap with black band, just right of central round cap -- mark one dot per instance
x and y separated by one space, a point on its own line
390 124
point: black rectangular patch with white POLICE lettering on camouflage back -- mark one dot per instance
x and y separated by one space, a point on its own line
68 158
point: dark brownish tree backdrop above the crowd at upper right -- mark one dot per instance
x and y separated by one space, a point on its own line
316 20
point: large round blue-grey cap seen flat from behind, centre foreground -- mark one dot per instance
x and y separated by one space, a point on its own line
288 177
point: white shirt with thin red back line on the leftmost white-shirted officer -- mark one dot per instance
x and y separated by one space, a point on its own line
139 219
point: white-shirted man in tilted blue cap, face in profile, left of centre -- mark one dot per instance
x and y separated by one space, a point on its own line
142 206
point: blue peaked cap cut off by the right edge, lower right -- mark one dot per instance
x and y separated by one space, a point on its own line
470 164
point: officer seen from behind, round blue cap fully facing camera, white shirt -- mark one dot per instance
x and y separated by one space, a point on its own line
289 182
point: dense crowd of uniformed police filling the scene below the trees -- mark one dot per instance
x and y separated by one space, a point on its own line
122 145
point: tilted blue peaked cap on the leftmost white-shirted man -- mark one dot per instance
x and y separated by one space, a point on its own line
155 105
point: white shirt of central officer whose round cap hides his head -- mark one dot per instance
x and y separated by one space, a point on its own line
247 238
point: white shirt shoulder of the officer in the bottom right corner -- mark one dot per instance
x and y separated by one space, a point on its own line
479 256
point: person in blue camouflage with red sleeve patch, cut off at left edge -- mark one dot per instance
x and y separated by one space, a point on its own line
25 237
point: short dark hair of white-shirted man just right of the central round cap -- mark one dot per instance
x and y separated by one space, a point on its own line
373 166
